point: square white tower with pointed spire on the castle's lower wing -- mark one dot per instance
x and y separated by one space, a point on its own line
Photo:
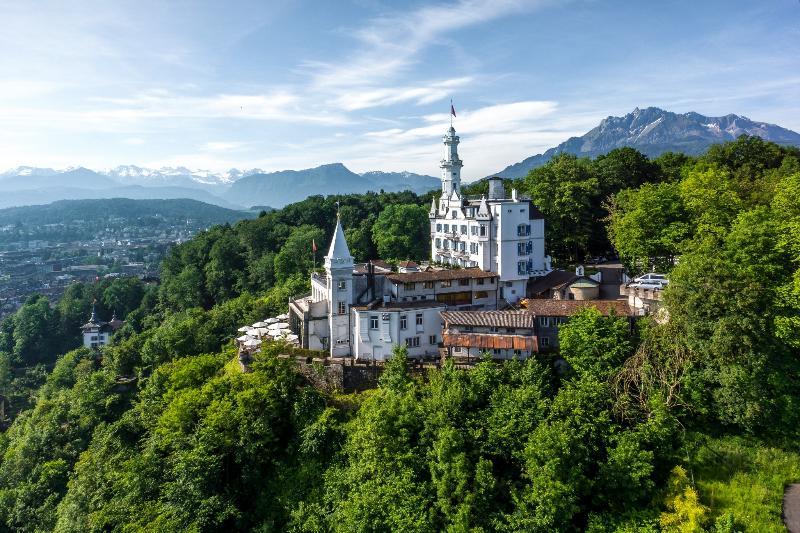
339 272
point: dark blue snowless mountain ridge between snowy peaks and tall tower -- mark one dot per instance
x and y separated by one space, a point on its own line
280 188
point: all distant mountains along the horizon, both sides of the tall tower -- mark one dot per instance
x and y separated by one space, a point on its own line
652 131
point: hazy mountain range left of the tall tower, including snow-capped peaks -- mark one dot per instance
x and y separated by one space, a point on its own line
235 189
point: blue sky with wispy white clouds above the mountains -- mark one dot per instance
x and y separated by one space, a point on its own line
294 84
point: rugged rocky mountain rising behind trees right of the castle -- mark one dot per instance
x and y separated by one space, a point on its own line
654 131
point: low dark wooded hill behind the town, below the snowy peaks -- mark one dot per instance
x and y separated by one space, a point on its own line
68 211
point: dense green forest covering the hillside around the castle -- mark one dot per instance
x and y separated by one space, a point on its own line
689 425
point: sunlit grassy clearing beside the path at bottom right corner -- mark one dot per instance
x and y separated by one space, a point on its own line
746 478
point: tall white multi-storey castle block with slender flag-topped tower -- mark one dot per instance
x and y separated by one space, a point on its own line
497 234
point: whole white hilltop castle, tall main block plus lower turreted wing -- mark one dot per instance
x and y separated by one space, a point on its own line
363 311
